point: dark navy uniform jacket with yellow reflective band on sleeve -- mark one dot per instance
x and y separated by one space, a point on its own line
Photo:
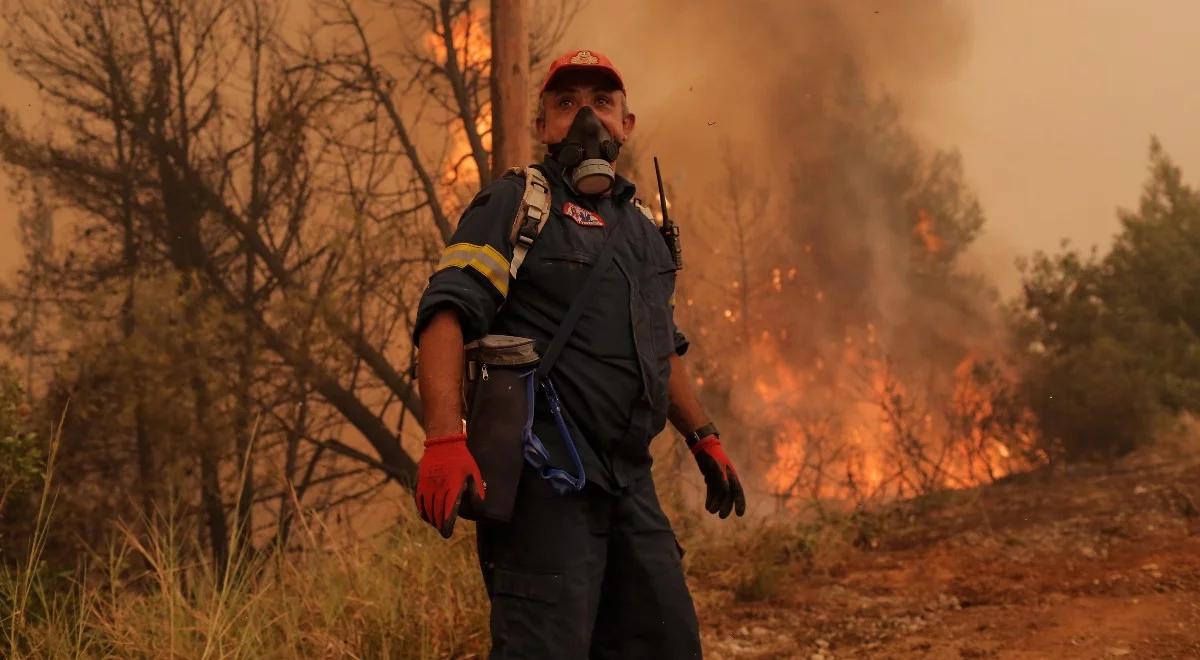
613 375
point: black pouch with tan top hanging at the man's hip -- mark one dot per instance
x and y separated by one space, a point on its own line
499 393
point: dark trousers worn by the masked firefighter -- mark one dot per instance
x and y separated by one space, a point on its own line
587 575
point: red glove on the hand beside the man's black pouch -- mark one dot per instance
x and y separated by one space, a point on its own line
443 477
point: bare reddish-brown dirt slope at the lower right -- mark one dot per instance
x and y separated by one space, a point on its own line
1089 563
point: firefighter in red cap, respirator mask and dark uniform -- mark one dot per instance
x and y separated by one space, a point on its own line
593 572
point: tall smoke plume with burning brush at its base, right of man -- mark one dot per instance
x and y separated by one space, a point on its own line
839 327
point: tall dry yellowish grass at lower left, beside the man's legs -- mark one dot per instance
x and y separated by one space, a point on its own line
155 595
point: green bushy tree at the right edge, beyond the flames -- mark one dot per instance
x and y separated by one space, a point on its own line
1111 345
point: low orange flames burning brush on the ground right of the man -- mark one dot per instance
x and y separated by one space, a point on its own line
869 437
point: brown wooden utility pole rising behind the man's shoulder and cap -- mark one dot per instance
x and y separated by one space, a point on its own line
511 86
